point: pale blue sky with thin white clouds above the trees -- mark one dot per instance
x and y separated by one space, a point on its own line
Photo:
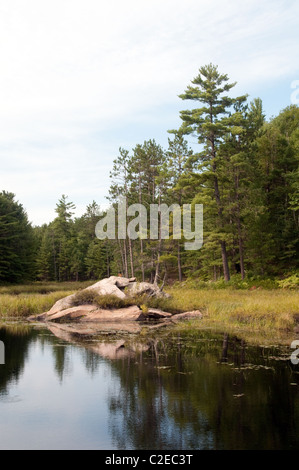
81 78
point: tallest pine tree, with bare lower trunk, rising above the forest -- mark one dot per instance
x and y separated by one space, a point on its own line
210 124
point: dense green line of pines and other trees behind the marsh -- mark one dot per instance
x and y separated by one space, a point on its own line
243 169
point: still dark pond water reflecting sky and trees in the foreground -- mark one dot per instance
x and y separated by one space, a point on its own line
193 391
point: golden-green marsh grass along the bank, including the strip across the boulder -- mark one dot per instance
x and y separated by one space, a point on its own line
257 311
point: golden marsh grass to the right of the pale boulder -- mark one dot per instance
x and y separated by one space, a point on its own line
257 309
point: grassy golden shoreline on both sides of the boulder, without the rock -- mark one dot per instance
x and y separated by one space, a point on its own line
260 315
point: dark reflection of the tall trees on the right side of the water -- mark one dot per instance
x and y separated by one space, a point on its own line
201 393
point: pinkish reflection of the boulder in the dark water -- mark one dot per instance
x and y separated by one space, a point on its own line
83 334
